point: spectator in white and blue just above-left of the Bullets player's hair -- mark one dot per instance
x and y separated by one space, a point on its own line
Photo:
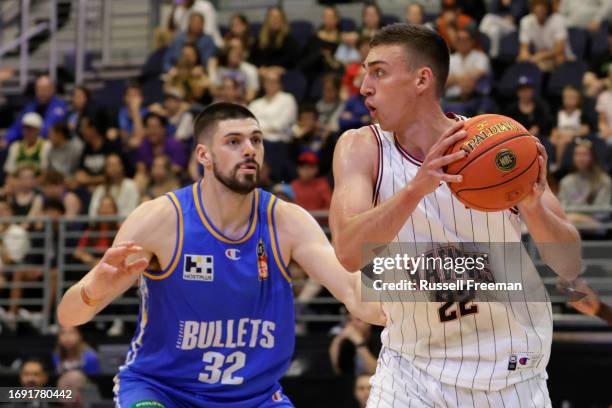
178 114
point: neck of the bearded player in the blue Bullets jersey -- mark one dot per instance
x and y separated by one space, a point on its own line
230 212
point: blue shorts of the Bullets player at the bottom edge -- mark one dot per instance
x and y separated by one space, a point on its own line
147 393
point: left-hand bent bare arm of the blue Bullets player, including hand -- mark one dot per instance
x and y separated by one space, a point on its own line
139 238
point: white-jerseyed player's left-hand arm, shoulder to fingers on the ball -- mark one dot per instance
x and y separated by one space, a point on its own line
354 220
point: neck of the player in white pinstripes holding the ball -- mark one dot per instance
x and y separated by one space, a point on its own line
420 135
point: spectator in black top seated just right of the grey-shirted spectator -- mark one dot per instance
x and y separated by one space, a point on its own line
97 147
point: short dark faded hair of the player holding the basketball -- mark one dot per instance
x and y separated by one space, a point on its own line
424 47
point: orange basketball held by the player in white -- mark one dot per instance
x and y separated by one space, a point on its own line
501 166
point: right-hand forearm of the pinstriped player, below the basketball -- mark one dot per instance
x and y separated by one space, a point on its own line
557 240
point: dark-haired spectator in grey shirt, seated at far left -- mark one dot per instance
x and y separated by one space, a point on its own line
65 151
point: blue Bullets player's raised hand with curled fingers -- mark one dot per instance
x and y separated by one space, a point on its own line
113 269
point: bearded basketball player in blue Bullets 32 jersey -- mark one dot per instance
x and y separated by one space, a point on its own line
216 325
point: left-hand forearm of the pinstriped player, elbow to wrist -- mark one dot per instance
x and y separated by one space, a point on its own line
380 224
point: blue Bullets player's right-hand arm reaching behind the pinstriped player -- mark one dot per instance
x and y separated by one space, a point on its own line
308 246
